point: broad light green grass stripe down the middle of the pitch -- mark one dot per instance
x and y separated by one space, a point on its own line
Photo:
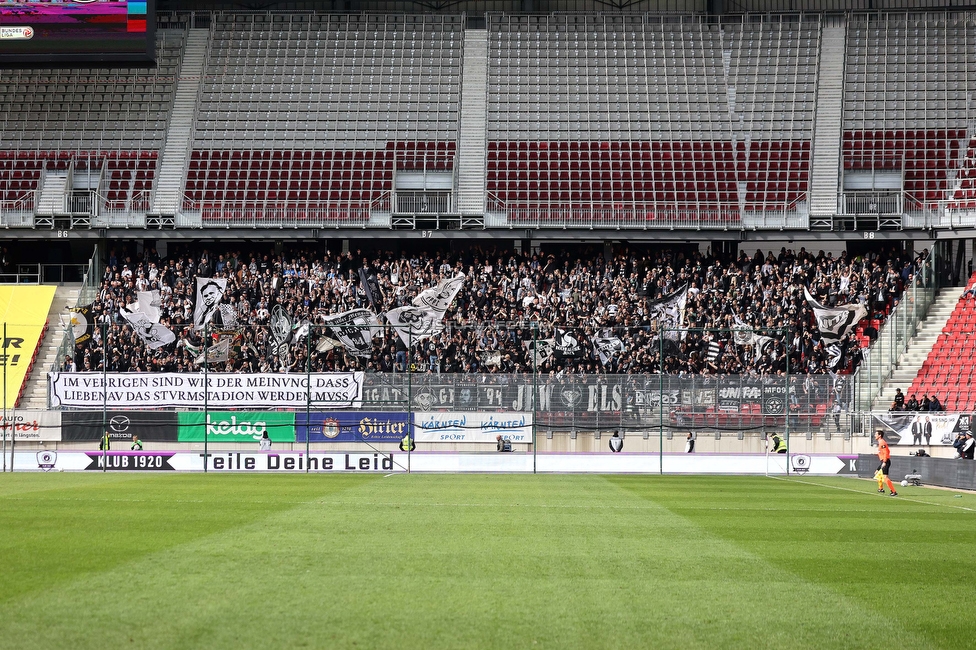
530 561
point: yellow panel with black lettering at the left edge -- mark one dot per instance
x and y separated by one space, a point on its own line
23 309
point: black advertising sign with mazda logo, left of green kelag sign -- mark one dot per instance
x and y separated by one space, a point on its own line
151 426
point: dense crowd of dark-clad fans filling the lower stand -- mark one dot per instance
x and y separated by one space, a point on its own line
508 299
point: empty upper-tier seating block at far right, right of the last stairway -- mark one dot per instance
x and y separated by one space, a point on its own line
908 88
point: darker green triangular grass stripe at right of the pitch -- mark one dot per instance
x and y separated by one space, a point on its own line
896 557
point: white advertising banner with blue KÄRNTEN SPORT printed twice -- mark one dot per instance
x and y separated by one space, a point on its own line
454 426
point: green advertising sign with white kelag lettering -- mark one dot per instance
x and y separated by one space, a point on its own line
236 426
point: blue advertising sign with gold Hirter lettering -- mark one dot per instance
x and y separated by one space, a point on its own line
345 426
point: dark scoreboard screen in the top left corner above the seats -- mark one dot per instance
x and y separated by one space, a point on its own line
83 31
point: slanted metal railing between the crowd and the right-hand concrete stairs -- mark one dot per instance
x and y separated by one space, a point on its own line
881 358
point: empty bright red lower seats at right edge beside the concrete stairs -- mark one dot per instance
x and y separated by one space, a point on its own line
948 371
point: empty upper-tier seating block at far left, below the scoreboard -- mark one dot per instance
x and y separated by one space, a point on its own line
100 127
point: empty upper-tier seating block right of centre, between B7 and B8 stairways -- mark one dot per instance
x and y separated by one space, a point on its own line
642 119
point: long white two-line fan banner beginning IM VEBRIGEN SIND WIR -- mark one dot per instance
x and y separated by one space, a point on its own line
89 390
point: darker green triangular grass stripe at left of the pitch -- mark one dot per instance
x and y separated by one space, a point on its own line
58 527
